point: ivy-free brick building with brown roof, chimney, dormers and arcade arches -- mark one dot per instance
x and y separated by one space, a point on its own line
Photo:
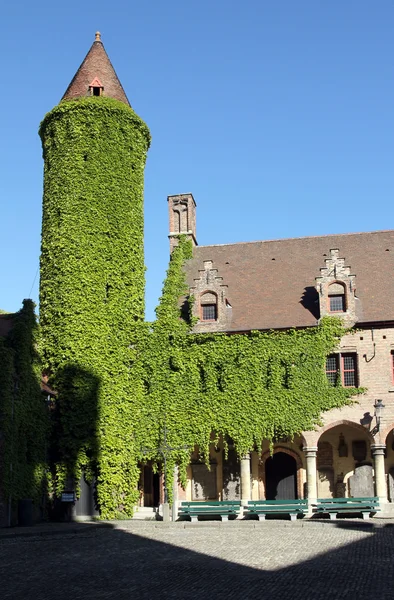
292 283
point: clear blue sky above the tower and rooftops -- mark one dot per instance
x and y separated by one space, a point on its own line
277 116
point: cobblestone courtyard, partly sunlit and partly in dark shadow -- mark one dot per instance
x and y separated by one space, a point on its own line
245 560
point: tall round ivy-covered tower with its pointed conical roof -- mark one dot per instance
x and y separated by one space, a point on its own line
92 275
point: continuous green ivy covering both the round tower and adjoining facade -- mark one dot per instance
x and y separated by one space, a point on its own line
121 381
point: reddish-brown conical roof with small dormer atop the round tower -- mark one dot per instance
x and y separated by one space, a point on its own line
96 70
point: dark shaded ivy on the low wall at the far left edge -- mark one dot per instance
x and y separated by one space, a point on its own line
23 415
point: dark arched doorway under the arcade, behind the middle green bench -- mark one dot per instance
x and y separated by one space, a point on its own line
280 477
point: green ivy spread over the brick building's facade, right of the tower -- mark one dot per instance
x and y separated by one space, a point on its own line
202 387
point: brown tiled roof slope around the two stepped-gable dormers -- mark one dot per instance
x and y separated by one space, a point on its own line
271 284
